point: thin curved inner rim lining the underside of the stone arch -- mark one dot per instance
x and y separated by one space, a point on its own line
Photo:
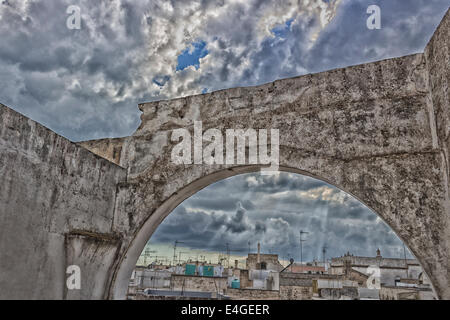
123 272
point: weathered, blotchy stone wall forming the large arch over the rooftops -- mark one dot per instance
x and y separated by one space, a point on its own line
374 131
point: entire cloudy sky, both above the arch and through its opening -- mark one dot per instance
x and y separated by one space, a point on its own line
85 84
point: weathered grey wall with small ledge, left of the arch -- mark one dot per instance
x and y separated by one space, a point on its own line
56 209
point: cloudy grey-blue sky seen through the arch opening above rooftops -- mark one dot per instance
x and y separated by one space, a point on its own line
272 209
